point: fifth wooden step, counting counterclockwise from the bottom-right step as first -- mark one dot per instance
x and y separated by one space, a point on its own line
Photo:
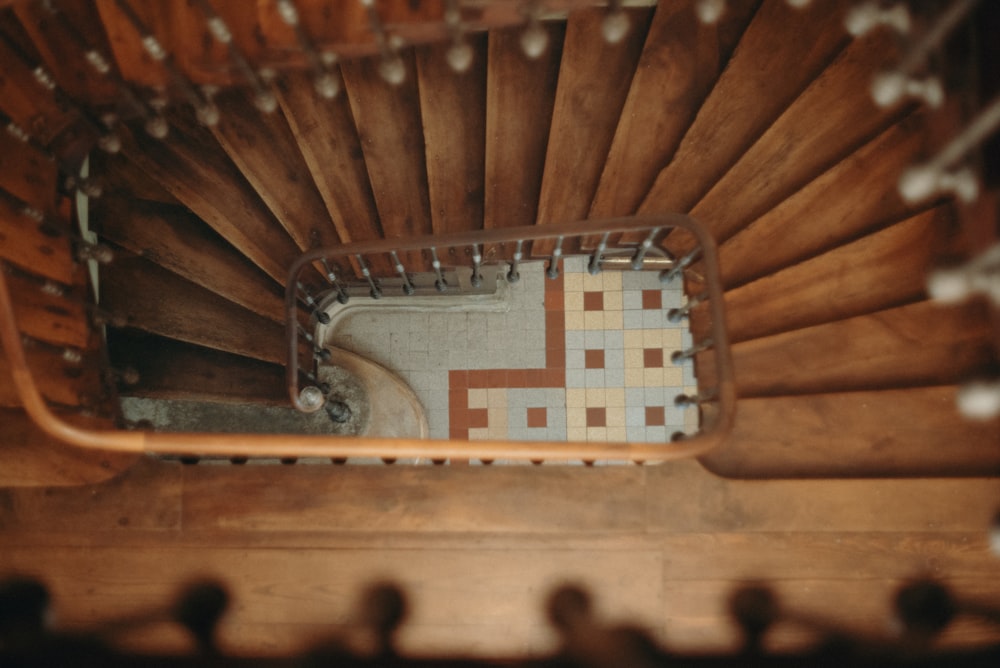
828 122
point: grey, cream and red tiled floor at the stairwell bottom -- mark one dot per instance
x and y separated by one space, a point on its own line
579 358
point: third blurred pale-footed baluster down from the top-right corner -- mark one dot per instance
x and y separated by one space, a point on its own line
921 182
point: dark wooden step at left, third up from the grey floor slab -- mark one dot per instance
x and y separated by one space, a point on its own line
177 240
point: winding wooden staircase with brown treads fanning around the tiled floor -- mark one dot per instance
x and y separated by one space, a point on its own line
760 124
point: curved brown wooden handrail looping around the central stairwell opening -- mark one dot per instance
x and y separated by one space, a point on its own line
268 445
